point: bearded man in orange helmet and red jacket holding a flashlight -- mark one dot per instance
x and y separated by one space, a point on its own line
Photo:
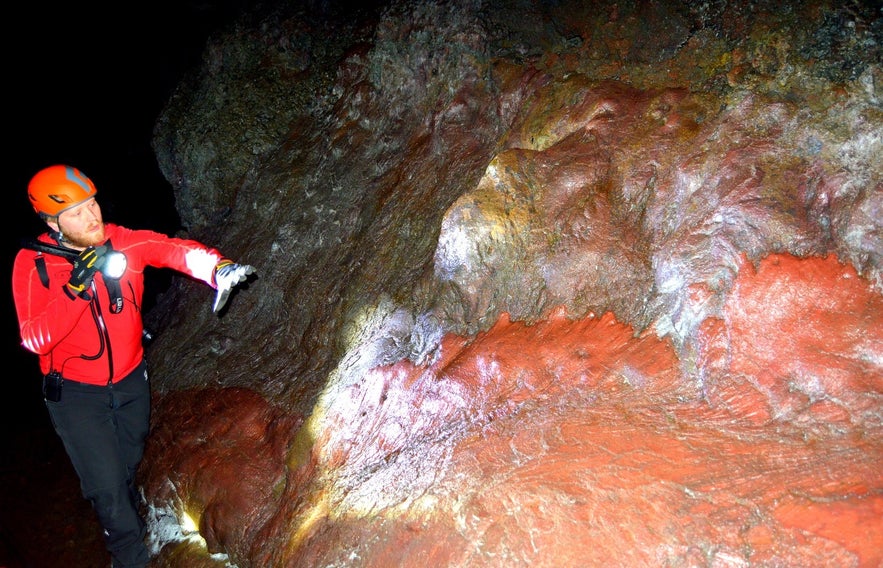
82 317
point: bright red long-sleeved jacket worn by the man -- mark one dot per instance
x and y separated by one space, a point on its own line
83 339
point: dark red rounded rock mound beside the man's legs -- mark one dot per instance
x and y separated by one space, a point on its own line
226 467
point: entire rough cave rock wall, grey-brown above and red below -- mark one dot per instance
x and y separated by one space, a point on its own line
540 284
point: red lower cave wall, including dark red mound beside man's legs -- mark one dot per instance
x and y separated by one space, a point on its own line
574 442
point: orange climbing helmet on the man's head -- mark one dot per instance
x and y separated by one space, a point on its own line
57 188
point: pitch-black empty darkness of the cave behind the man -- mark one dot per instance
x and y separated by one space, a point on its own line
84 85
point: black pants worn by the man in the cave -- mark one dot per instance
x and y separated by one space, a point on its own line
103 429
